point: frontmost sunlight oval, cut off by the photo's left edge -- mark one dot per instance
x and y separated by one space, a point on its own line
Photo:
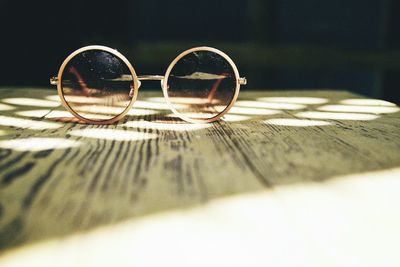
38 144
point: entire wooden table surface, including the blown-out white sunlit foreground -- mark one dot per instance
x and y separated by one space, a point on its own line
288 178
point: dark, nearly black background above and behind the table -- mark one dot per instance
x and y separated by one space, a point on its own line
277 44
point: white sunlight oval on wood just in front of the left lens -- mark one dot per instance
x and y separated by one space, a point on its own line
113 134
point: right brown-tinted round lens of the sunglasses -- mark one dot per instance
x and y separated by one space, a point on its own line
201 85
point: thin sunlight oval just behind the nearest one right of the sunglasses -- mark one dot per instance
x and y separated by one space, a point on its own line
337 116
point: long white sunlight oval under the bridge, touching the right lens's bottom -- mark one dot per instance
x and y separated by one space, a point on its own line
166 126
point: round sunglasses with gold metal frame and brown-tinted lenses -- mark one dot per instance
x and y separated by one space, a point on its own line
98 85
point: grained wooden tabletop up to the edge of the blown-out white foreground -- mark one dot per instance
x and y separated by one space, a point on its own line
59 177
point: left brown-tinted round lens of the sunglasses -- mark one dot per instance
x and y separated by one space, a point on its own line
97 85
